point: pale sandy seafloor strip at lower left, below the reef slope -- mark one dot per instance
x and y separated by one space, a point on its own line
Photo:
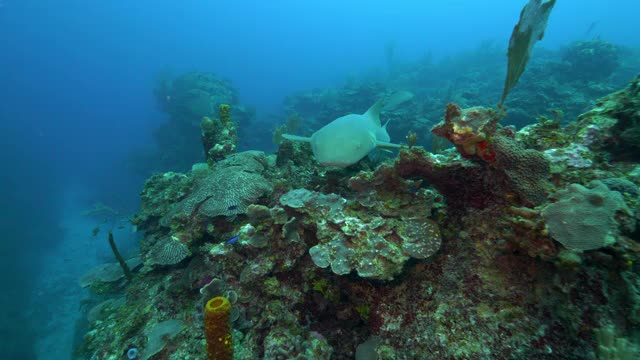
57 302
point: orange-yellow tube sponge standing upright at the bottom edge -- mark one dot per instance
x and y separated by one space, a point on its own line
217 327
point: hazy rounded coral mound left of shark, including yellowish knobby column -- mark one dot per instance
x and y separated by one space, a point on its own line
192 101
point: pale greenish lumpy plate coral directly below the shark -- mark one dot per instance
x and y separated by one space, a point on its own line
376 246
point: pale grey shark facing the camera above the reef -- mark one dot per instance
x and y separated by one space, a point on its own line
347 139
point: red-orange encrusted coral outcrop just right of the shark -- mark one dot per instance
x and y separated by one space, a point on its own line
512 169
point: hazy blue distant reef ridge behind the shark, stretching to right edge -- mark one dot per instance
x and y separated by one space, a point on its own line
550 84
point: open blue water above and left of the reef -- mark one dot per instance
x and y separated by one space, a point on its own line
76 99
